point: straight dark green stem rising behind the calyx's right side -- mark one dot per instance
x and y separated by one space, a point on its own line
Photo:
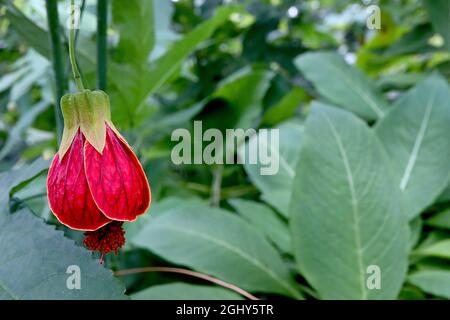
102 23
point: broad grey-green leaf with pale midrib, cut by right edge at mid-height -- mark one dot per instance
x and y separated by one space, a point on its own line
416 135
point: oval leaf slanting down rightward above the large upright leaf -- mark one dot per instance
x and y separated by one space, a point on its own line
342 84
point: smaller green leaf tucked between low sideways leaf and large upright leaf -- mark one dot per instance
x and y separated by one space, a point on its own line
266 221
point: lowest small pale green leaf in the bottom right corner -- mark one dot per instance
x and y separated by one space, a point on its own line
435 282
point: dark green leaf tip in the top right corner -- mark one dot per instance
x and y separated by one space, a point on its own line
439 12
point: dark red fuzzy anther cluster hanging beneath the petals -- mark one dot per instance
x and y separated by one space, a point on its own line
109 238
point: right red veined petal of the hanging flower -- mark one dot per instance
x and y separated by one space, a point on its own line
116 179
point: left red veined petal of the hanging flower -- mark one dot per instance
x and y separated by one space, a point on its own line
68 192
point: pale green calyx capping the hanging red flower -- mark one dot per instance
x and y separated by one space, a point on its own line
88 111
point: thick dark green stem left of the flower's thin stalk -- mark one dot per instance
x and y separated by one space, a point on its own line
57 61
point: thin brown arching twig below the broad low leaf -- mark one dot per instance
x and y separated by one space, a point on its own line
189 273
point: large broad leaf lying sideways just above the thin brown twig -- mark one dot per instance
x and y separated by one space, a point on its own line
218 243
